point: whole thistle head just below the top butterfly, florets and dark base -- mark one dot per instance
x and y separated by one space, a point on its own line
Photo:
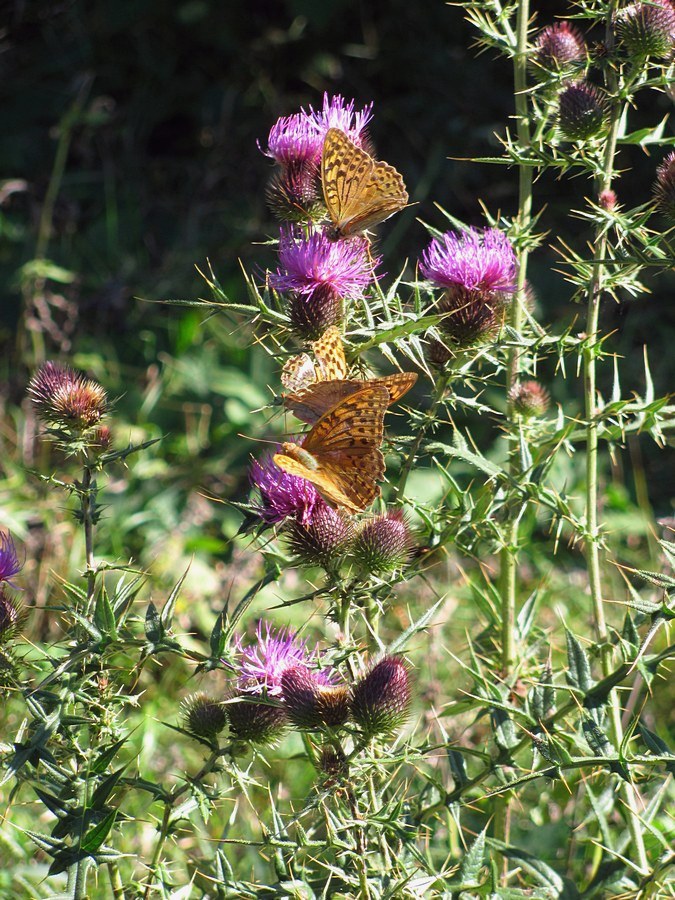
319 274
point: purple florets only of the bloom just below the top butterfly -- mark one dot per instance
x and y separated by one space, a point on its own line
315 262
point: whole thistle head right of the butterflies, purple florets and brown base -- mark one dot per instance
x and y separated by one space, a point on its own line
478 272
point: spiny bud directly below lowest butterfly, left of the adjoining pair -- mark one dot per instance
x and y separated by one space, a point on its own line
323 539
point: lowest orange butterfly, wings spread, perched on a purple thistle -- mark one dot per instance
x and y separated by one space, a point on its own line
340 455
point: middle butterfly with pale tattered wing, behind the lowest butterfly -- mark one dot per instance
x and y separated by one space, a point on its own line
315 387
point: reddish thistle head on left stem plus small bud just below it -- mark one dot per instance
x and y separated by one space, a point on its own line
72 406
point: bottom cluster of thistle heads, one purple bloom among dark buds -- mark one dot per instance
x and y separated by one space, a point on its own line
281 683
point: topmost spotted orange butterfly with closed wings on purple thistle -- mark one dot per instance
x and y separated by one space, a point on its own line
358 190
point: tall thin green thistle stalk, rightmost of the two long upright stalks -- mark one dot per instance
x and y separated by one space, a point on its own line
592 540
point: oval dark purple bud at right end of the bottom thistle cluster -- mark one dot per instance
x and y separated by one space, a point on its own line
381 700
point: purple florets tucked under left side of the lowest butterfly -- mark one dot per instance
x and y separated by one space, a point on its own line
283 495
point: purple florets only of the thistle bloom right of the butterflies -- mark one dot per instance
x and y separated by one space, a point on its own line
474 260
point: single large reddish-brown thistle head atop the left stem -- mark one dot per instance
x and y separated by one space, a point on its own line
66 398
